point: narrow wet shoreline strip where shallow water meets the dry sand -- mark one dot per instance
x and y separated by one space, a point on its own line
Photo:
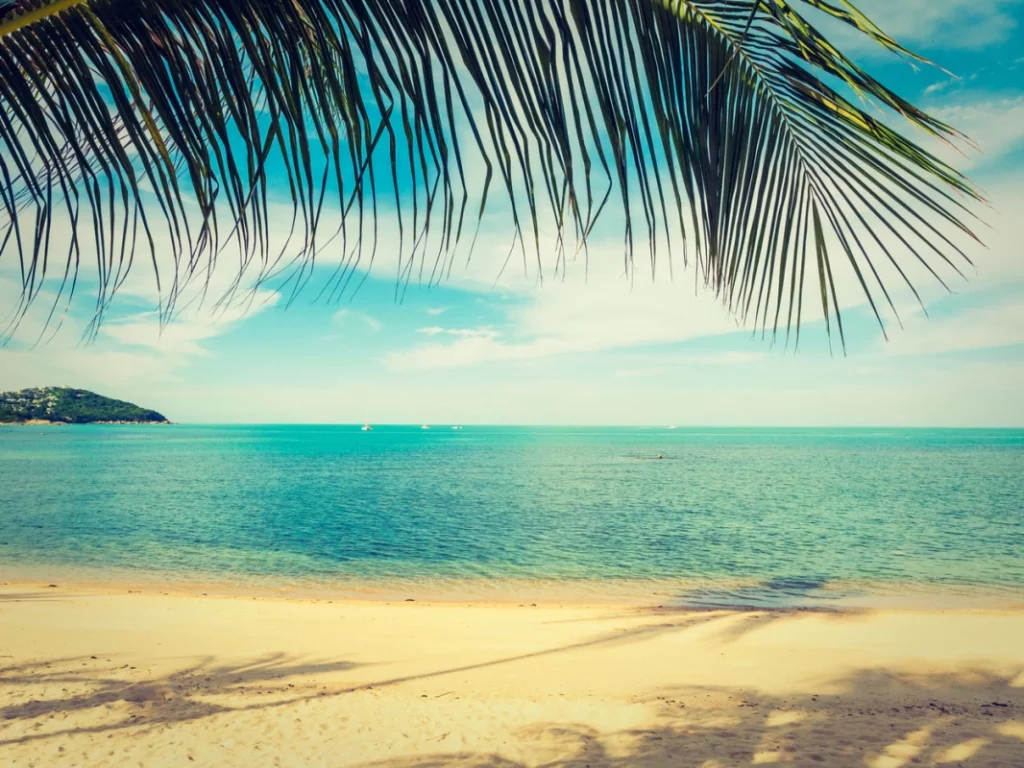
679 595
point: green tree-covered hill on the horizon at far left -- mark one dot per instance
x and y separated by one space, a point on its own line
61 405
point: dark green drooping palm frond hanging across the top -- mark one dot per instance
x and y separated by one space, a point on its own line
731 124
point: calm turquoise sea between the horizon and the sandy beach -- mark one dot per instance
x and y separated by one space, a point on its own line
765 517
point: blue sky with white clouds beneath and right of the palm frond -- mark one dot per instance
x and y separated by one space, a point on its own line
596 347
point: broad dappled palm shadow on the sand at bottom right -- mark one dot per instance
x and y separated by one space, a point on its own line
874 718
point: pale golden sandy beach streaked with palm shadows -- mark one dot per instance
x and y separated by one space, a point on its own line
92 678
